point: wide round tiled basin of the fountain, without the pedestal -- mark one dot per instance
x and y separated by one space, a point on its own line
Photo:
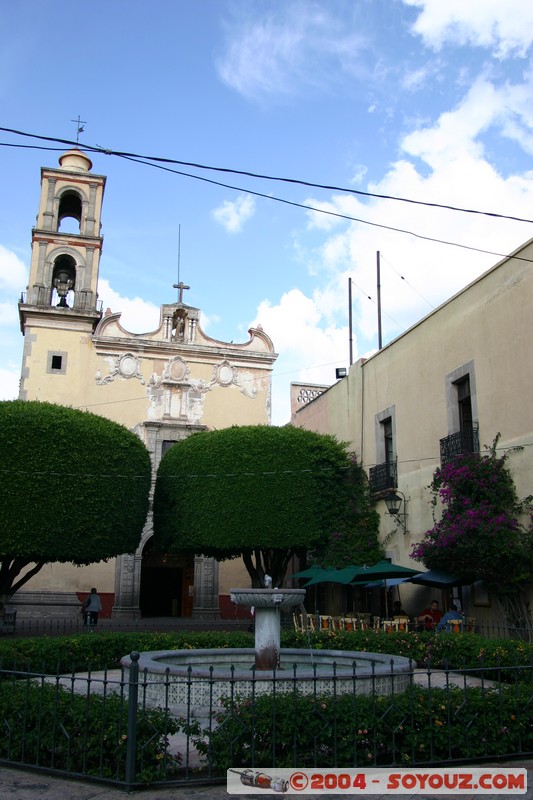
196 681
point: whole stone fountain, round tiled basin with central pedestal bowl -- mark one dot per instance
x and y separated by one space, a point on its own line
197 681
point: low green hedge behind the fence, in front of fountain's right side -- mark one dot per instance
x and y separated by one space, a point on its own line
417 726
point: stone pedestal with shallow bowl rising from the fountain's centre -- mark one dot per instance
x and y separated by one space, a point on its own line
267 604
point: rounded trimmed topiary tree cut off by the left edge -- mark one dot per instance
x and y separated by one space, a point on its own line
75 488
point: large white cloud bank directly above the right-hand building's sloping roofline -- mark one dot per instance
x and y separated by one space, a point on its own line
416 274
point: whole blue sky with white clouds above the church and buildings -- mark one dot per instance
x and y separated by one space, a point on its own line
418 99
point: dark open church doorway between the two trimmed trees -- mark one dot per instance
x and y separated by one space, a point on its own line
167 588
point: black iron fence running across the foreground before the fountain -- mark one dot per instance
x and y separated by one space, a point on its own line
137 728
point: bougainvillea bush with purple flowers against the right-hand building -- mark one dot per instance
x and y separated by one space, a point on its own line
479 535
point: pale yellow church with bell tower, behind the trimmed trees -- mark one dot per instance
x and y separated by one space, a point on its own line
165 385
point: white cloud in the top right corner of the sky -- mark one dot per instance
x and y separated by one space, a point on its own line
506 27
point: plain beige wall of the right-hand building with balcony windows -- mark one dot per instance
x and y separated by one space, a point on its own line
489 325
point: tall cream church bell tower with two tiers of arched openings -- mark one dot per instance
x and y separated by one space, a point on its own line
60 306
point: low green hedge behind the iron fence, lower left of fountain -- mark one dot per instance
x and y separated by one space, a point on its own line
48 726
